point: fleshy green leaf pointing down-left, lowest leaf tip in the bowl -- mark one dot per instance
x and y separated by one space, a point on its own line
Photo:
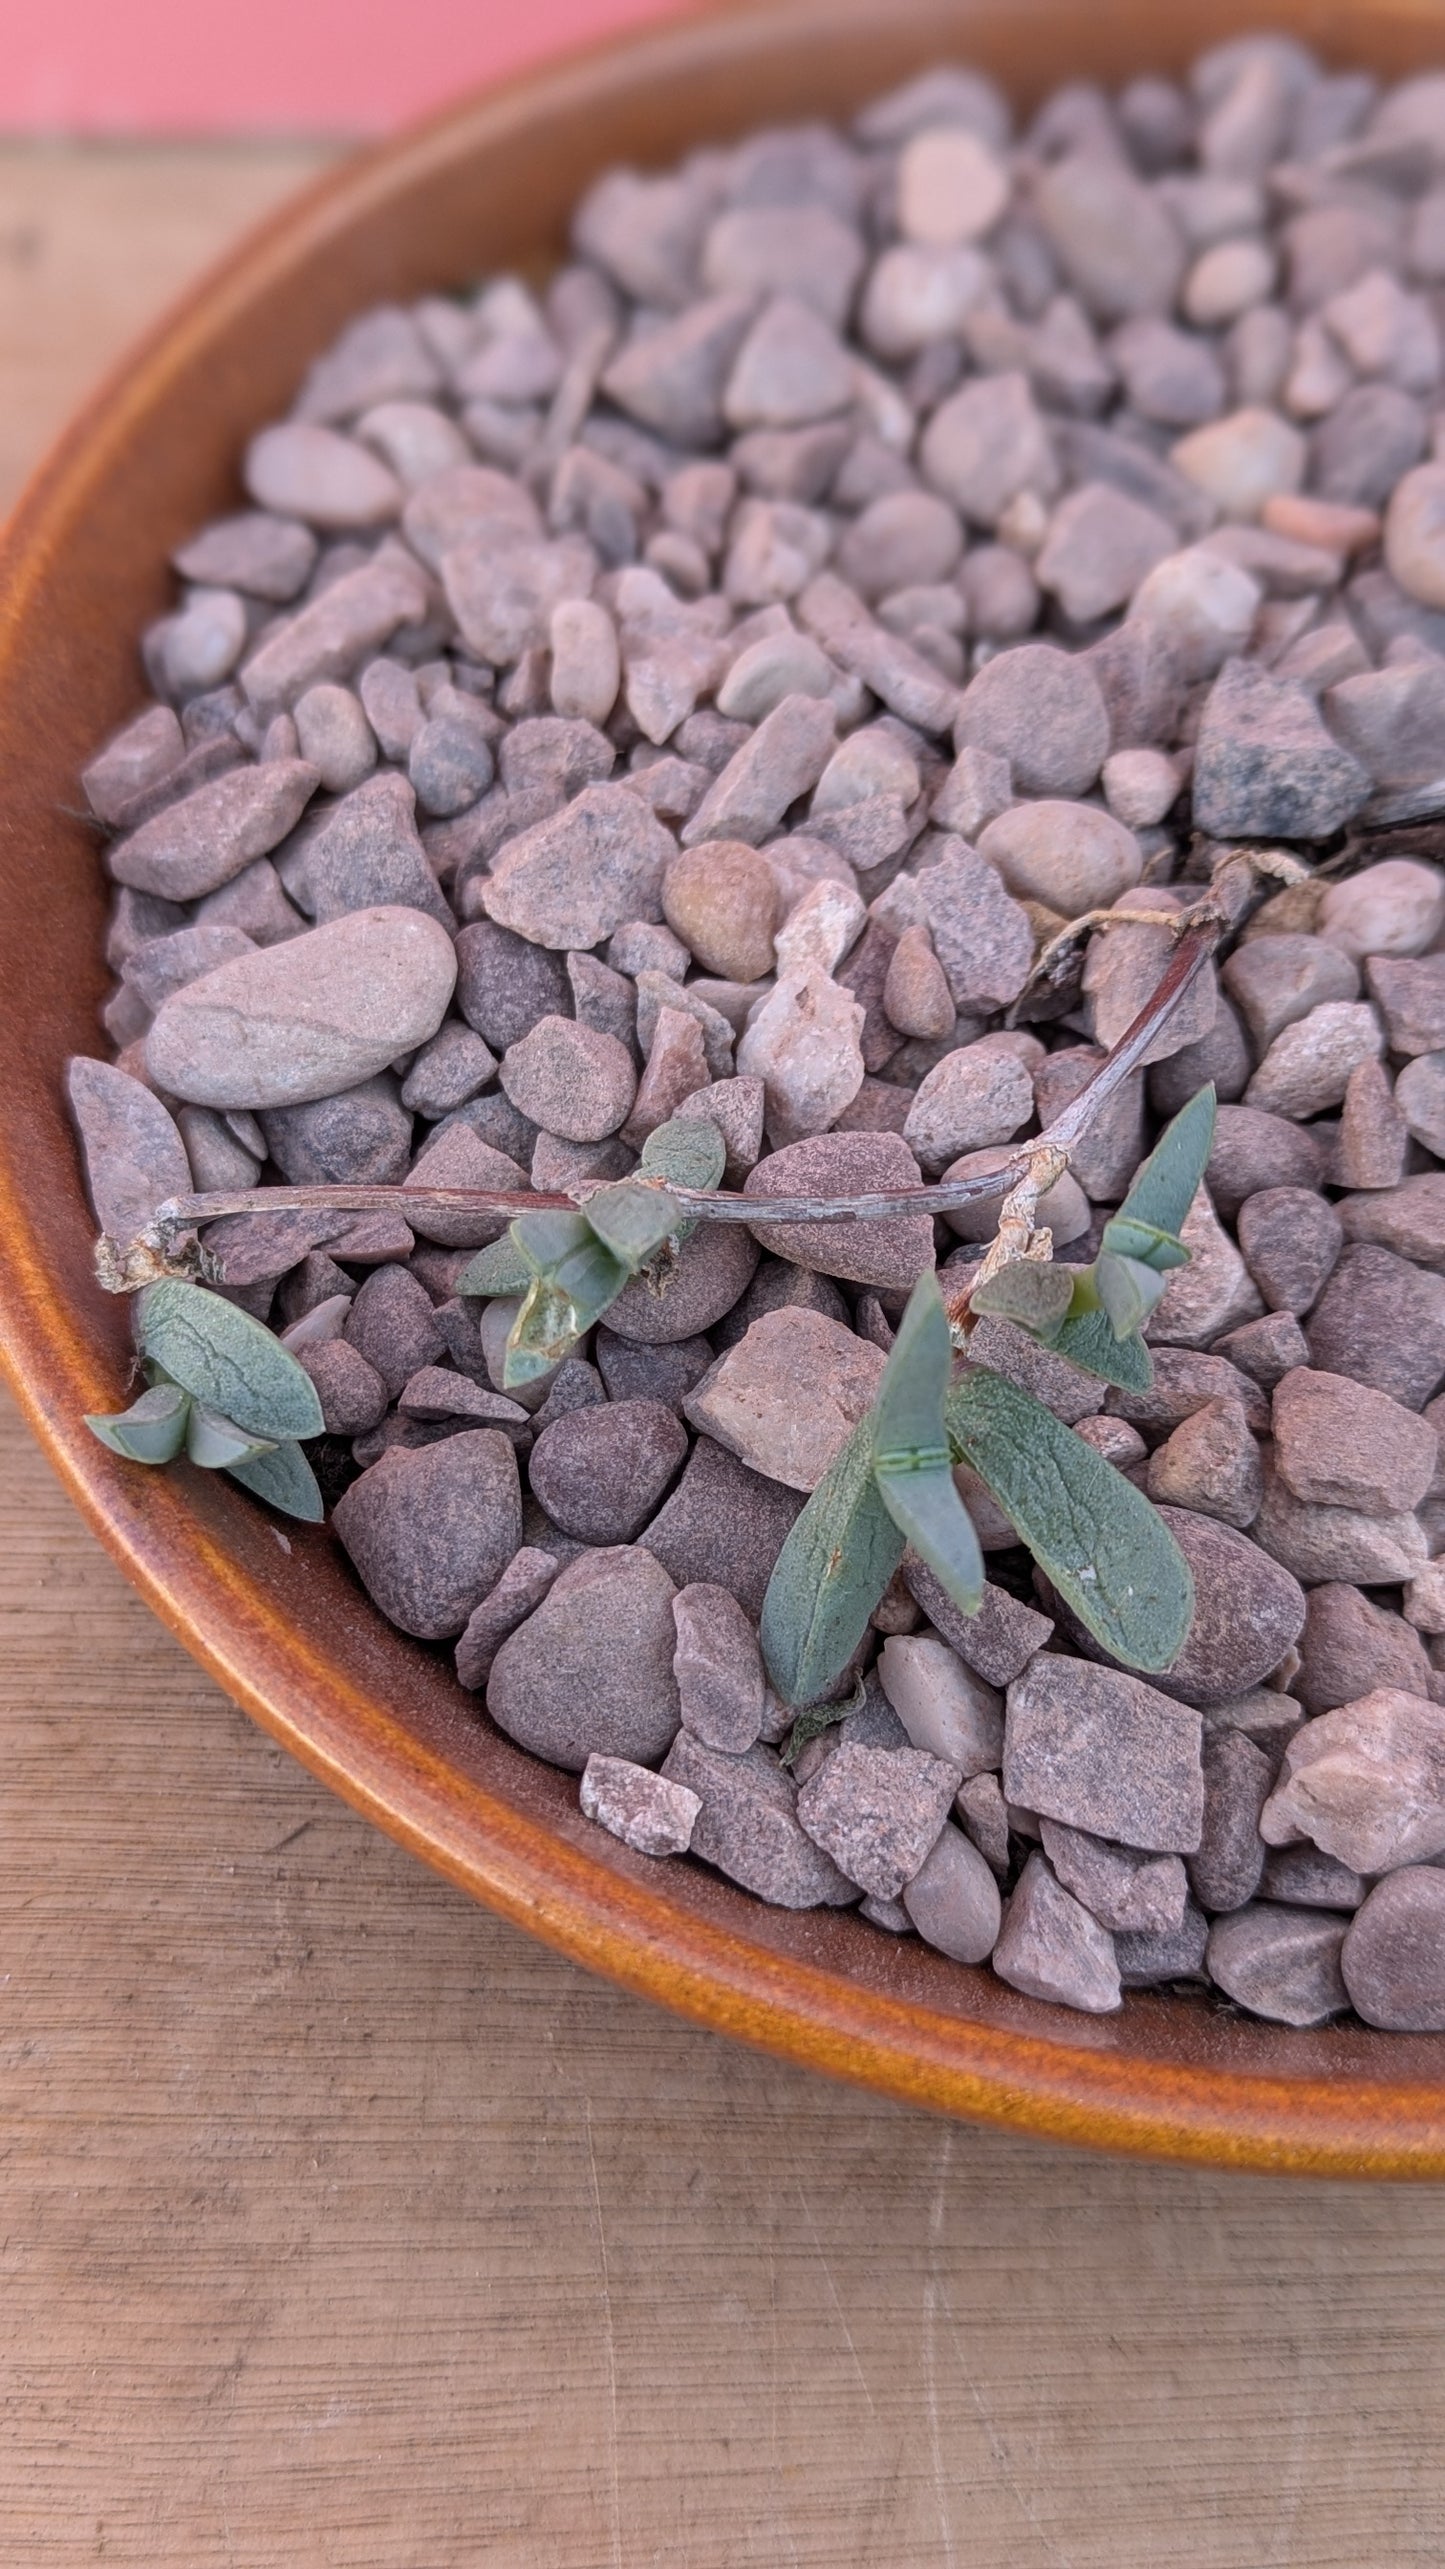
829 1576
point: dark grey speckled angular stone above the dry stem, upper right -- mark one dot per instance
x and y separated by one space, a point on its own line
1266 767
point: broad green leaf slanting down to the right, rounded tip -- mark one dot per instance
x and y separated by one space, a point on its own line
1094 1535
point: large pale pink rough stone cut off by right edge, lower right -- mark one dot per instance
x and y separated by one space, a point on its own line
1367 1784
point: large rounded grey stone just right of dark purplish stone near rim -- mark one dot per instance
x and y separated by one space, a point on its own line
590 1671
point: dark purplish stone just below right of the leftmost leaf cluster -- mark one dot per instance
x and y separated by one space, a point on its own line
431 1532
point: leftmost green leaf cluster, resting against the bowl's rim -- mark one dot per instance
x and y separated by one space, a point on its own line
222 1391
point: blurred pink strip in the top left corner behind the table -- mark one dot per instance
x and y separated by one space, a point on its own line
271 66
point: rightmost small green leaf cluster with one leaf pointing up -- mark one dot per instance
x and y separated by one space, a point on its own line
1097 1314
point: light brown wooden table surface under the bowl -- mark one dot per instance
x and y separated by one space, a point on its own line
343 2229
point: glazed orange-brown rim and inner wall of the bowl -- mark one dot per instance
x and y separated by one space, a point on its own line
276 1617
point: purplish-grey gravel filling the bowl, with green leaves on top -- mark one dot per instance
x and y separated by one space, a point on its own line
765 715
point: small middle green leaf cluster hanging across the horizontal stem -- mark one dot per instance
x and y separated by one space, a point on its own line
570 1268
